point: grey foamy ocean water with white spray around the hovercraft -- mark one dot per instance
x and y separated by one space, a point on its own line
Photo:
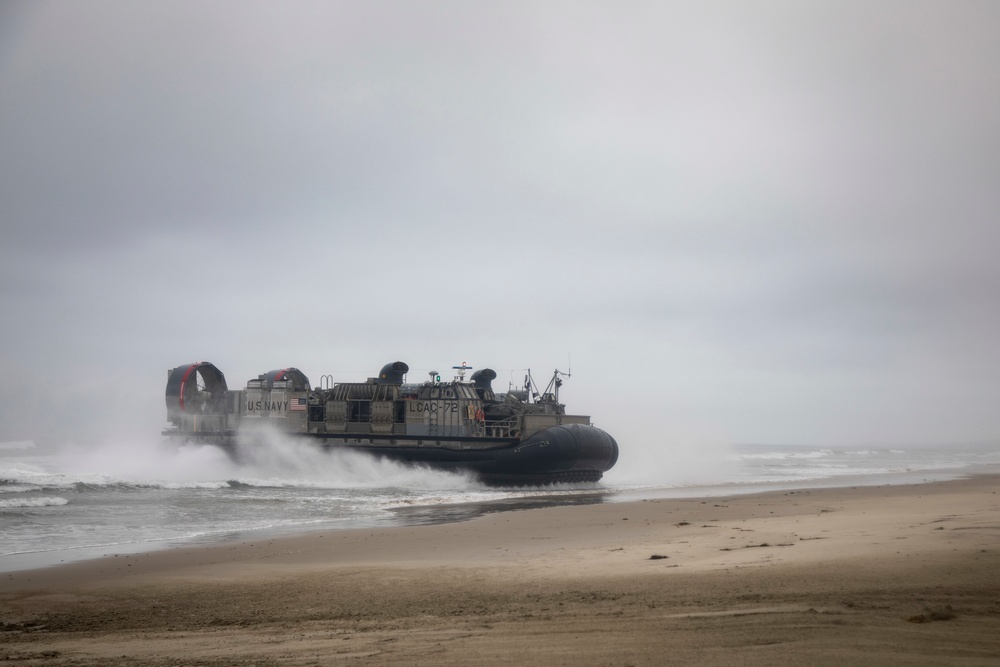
74 502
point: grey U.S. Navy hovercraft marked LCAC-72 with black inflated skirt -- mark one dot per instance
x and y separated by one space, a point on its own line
516 438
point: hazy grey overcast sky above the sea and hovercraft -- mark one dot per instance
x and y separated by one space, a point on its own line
742 222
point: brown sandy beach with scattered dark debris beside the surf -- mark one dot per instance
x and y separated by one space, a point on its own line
901 575
